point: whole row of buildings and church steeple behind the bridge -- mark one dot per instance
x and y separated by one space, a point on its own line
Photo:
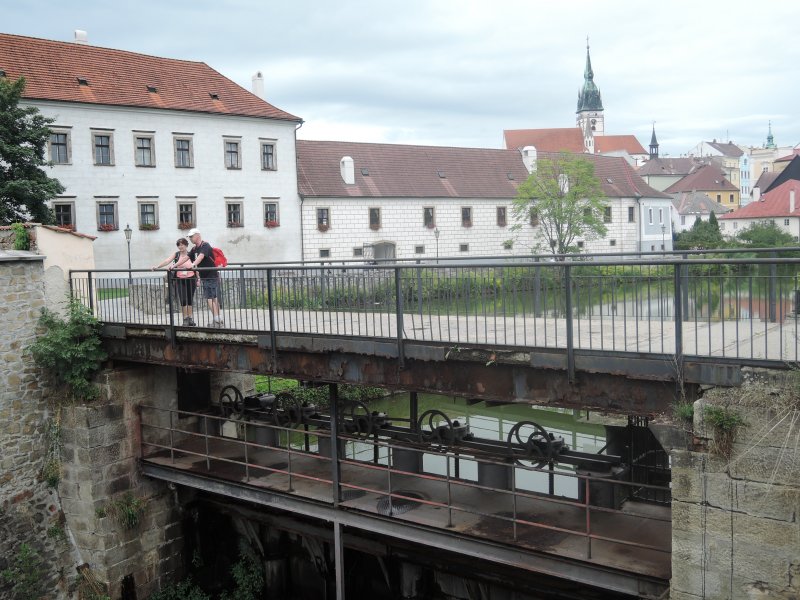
158 146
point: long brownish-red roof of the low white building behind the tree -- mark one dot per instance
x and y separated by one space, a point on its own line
405 171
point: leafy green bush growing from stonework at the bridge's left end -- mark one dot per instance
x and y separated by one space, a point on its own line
70 349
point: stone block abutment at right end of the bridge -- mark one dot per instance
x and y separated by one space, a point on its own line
735 521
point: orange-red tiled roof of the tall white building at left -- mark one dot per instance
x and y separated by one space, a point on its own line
120 78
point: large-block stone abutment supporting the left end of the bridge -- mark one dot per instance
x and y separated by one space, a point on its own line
101 447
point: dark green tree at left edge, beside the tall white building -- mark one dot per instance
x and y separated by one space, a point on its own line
24 187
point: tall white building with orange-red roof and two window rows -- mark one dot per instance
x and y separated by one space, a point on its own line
171 146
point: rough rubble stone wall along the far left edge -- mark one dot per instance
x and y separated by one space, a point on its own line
30 512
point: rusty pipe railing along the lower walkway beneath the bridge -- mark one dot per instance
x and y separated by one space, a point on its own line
528 504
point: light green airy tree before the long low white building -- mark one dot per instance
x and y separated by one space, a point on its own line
564 200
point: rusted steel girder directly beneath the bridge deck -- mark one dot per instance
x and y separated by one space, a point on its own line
509 377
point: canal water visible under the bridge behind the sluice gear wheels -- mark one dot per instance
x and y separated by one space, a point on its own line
492 423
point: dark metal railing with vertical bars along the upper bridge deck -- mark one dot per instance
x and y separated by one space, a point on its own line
739 308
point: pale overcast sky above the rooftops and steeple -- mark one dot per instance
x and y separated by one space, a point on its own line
458 73
